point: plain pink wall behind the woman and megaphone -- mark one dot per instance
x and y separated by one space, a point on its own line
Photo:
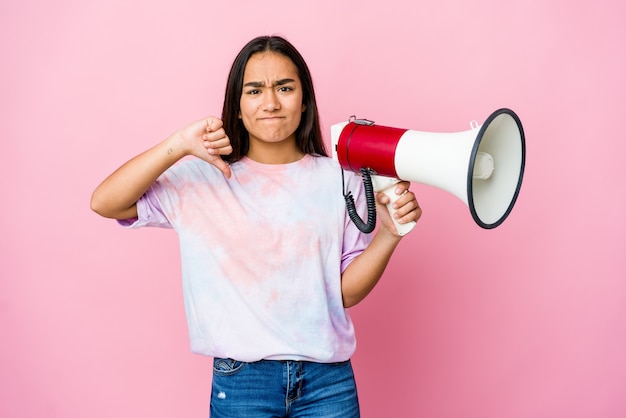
527 320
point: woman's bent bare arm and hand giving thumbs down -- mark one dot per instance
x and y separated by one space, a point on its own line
116 197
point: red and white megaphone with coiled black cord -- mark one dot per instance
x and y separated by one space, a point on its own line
482 166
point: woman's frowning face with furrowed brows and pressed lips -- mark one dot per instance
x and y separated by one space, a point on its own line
271 100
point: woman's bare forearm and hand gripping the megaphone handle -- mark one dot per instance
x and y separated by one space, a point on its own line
362 274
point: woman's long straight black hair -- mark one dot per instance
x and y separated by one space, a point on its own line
308 135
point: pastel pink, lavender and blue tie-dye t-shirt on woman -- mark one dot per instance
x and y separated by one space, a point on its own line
262 255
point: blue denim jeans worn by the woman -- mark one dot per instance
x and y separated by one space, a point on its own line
272 389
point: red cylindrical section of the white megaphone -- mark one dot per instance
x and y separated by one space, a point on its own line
369 146
